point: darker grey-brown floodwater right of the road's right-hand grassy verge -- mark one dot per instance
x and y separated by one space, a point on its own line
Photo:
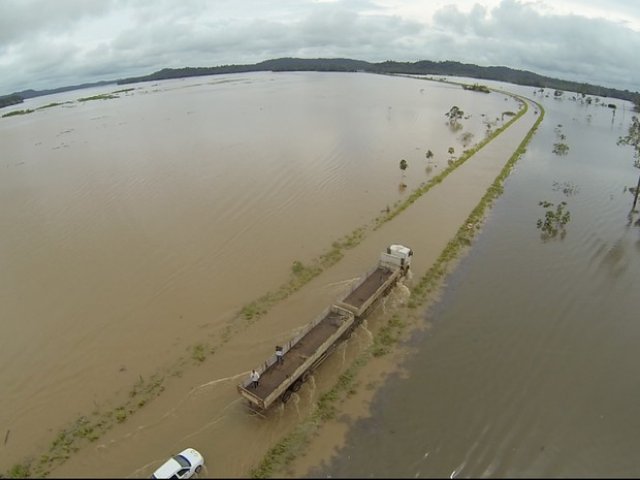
529 365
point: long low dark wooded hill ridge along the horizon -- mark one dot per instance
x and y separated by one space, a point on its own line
423 67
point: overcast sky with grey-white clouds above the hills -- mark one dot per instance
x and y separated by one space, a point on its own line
53 43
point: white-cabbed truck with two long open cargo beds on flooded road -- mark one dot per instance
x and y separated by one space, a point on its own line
284 373
